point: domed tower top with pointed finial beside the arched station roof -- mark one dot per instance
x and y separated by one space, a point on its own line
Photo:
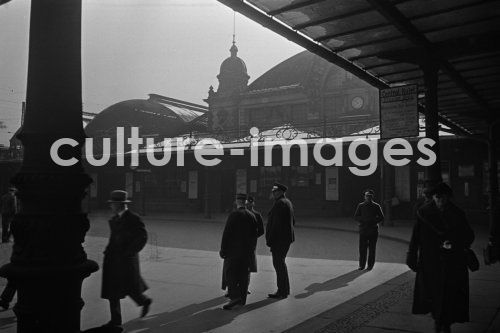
233 75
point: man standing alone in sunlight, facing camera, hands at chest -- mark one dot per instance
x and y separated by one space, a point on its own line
369 215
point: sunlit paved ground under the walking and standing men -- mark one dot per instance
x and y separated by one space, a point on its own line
185 287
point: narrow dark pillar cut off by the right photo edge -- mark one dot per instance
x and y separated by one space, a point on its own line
494 197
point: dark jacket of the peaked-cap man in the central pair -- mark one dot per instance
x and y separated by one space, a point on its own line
280 222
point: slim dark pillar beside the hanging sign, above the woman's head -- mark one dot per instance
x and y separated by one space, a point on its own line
430 69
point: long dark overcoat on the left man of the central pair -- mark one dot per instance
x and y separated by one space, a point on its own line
237 242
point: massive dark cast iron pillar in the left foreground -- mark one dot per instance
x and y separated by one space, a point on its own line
48 262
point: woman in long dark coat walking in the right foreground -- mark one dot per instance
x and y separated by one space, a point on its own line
437 253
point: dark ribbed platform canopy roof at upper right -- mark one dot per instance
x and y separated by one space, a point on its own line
387 43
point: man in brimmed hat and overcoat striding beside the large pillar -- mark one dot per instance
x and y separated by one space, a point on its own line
121 275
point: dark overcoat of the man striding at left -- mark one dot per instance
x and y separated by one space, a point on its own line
121 274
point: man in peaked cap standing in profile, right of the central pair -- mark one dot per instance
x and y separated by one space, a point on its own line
279 237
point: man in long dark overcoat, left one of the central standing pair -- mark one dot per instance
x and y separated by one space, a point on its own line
237 250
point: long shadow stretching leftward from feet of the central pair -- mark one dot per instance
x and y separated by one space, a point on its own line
195 318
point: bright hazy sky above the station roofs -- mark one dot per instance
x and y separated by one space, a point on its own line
134 47
